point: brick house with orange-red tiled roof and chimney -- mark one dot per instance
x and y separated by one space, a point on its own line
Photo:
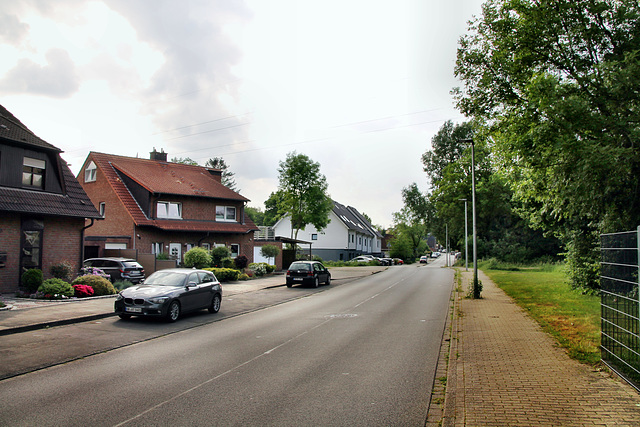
155 206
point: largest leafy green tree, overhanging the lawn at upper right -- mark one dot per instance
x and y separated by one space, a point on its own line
555 84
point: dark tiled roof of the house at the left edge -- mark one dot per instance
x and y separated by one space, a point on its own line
74 202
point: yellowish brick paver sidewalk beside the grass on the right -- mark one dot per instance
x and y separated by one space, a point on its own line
505 371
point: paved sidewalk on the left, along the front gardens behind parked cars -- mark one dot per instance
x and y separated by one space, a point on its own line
28 314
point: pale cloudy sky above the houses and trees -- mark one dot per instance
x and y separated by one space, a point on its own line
359 86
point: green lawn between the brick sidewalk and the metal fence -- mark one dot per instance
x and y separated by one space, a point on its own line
569 316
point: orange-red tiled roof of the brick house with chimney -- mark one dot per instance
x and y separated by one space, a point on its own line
160 177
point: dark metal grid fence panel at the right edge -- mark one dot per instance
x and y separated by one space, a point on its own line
620 341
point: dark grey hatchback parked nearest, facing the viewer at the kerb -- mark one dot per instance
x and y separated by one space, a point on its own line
169 293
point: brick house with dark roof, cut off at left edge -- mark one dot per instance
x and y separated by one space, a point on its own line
42 205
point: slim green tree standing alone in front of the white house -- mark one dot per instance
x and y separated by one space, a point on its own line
304 192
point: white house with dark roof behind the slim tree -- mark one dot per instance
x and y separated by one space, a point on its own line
347 235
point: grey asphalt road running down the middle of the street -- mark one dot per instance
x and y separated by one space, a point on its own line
359 354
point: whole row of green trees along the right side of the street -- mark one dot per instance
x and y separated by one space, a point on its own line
551 89
